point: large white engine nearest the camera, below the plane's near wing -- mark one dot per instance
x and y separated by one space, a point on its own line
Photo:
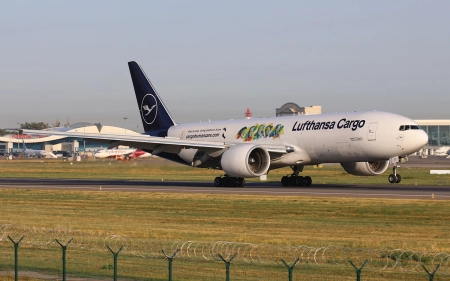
245 161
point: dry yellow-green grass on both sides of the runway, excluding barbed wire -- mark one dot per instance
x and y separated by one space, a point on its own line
279 221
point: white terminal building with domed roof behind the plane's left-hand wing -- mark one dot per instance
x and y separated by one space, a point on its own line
13 143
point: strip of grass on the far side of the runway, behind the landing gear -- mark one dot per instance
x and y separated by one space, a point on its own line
158 169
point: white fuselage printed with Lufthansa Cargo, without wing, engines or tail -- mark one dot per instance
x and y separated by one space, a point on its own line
322 138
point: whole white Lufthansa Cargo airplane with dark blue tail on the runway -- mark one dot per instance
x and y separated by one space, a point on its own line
362 142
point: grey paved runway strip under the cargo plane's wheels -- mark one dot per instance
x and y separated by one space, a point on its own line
267 188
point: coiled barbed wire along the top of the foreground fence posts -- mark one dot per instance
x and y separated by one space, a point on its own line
378 259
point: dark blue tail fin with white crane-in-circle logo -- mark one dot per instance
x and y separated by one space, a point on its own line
155 117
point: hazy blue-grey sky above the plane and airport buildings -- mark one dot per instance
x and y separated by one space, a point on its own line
211 60
